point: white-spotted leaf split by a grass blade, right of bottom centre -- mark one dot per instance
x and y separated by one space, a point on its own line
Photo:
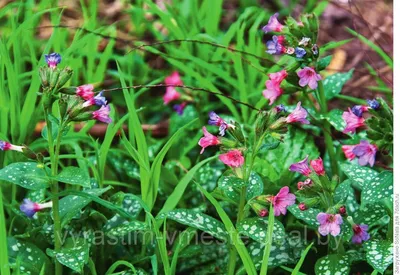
256 228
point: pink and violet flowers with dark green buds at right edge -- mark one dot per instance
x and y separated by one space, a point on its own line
379 129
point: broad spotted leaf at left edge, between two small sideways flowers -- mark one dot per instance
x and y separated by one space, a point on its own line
25 174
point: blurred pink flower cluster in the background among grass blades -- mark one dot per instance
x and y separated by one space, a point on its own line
172 95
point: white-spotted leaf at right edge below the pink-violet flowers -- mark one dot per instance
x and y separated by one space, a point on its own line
378 189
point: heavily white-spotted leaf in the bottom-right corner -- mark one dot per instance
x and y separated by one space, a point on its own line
379 254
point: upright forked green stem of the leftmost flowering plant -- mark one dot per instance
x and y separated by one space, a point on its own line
54 152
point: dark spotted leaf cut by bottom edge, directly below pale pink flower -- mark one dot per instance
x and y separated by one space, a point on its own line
333 264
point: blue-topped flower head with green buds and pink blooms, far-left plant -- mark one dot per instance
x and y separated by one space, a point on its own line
76 103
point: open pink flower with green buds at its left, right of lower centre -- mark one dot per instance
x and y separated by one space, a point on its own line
280 202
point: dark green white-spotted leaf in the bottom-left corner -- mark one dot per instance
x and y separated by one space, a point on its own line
26 256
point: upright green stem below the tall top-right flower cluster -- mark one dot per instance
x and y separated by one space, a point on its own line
327 131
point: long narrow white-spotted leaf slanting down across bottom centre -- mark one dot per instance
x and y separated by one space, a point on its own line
198 220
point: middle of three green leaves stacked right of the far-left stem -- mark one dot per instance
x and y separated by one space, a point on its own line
70 206
